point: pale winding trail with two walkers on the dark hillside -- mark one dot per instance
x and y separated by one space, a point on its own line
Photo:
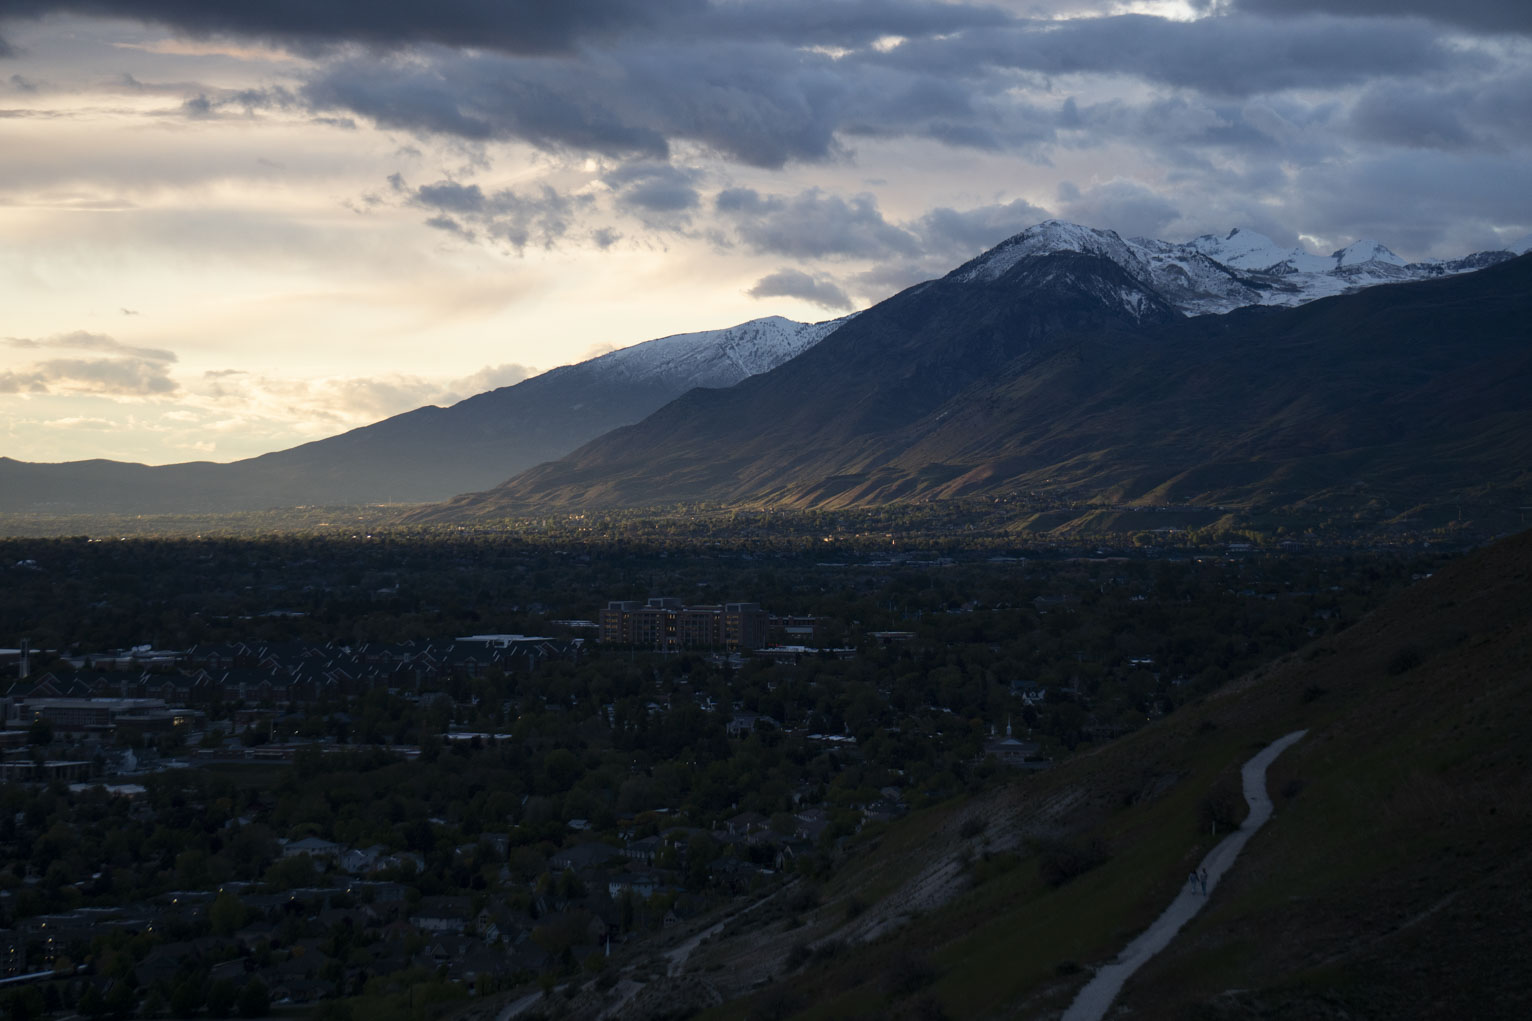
1098 997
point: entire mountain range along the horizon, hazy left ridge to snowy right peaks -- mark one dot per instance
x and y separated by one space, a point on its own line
1066 359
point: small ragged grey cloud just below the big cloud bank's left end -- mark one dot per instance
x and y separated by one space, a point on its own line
517 220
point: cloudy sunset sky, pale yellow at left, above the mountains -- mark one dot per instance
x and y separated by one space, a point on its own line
231 228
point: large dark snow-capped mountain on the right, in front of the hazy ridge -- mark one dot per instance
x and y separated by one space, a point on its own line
1062 361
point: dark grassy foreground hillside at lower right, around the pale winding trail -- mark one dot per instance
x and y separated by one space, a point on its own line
1392 881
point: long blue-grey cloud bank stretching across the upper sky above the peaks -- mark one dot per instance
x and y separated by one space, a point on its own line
768 105
